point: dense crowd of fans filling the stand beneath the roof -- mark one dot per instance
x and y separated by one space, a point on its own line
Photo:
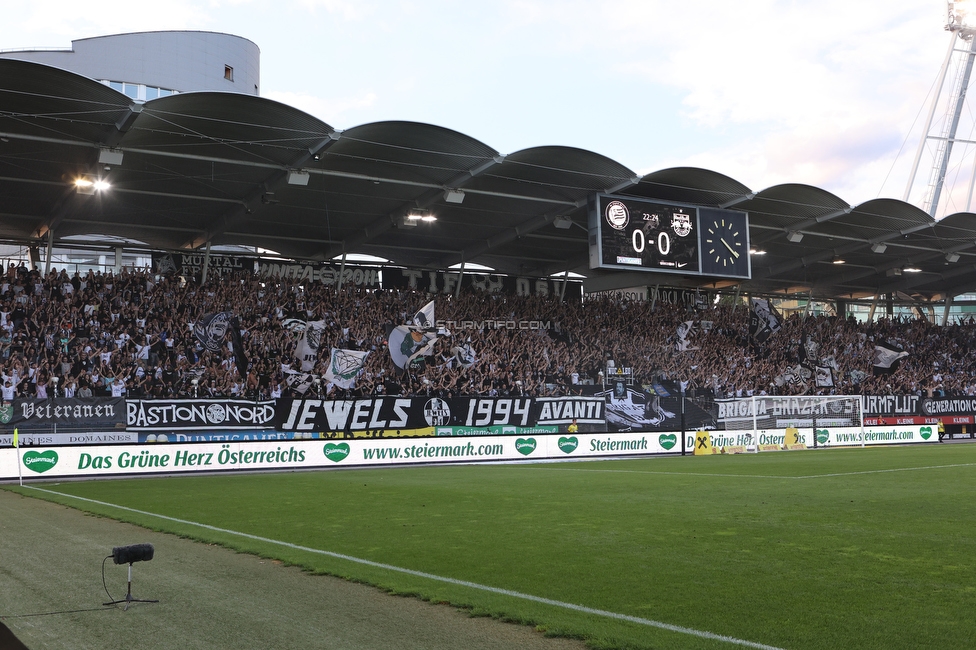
131 334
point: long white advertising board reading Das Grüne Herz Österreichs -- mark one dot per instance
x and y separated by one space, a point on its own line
109 460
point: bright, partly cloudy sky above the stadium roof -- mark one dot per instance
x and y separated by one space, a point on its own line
830 93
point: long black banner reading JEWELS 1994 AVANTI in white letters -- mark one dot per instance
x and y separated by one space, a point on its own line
411 416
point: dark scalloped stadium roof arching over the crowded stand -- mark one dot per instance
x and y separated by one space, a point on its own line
228 169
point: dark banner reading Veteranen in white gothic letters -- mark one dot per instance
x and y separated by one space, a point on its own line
78 412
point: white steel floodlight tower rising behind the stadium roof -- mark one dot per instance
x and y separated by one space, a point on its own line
942 131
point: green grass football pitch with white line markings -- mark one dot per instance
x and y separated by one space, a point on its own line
842 548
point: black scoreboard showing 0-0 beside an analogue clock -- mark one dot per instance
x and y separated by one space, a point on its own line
637 234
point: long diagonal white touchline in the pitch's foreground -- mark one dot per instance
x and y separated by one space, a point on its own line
430 576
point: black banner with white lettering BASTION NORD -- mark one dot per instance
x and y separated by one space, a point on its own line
174 415
